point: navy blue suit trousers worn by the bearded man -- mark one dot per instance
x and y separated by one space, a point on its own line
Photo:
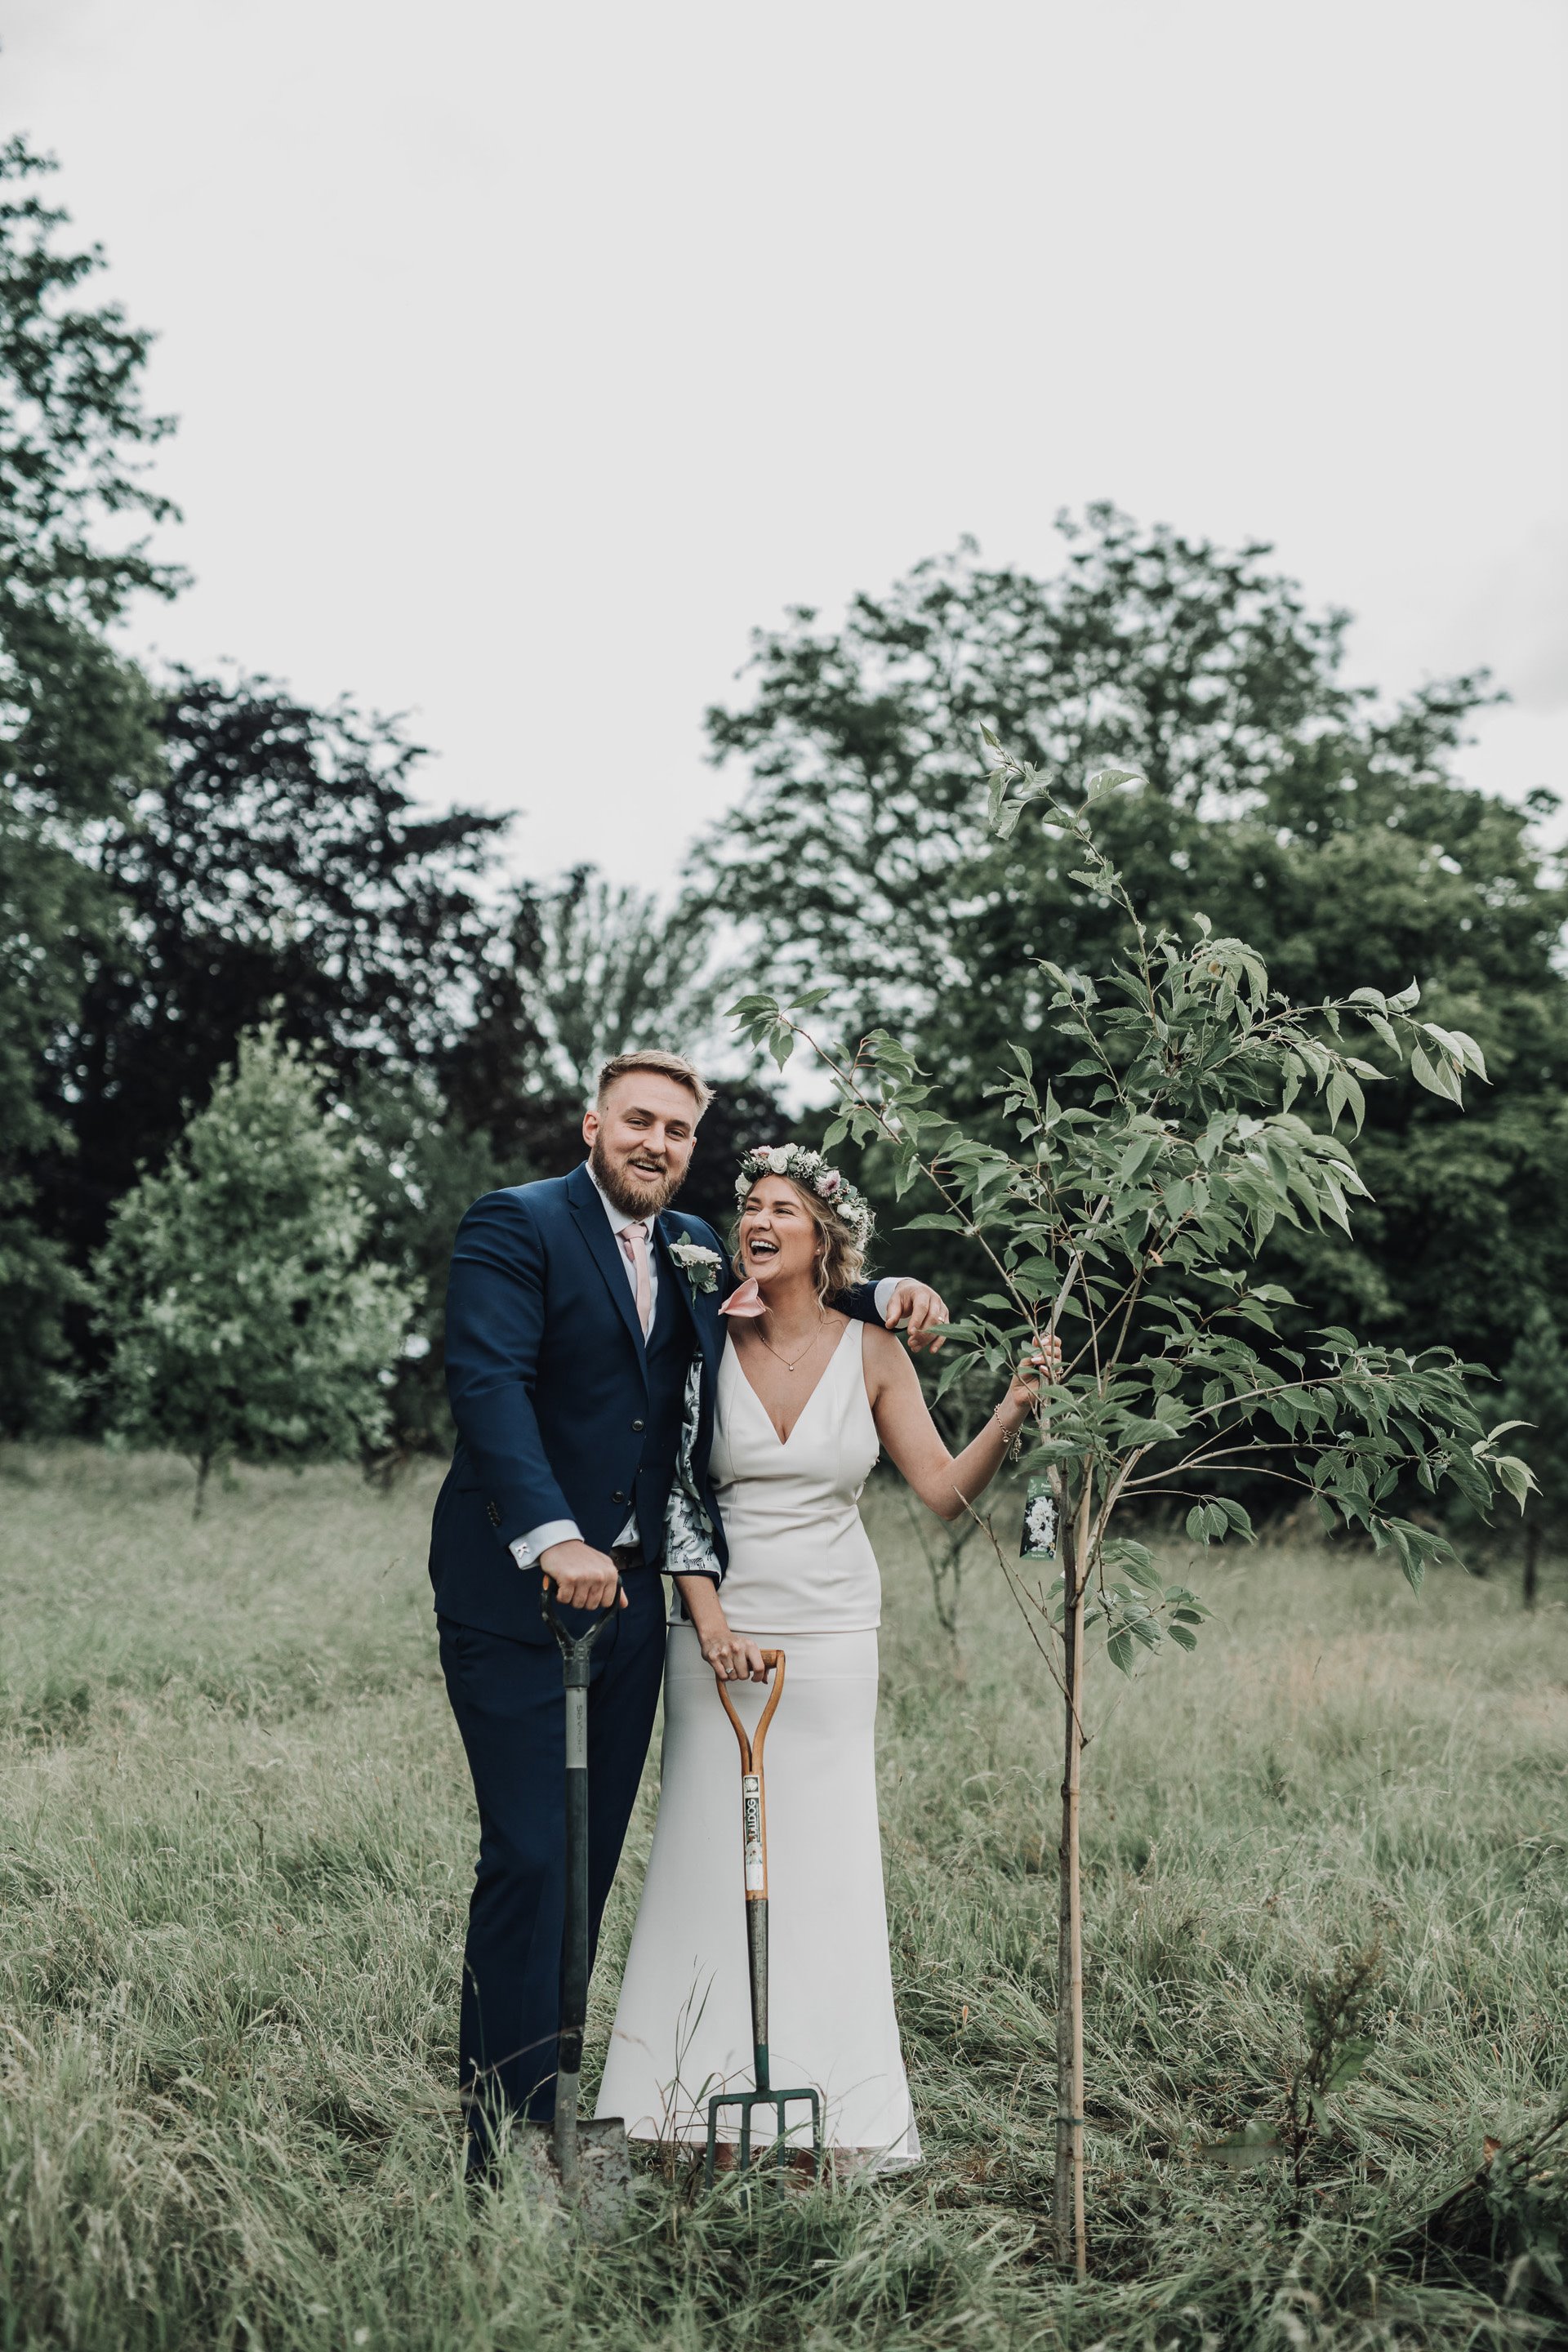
509 1704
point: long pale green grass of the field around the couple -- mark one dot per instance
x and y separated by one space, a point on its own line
234 1862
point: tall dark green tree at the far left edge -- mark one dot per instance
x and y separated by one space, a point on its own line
76 723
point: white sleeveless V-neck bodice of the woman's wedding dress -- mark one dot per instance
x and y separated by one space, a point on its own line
798 1553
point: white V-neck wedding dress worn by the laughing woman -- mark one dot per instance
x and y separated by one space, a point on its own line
803 1579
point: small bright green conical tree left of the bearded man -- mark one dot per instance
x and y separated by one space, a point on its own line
241 1316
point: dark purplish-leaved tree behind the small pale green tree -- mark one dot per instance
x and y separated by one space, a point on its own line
272 867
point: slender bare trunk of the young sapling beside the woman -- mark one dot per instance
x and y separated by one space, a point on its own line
1068 2200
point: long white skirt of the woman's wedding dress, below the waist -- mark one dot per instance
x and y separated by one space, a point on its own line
685 2026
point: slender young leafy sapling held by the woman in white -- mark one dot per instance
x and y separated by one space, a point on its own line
1130 1212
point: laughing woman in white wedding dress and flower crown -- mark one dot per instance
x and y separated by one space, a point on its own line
805 1403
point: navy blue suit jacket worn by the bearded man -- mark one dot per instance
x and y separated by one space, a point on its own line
563 1410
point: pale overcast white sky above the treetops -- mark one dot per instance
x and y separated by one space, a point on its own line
530 354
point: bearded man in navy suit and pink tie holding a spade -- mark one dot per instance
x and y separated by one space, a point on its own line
575 1314
